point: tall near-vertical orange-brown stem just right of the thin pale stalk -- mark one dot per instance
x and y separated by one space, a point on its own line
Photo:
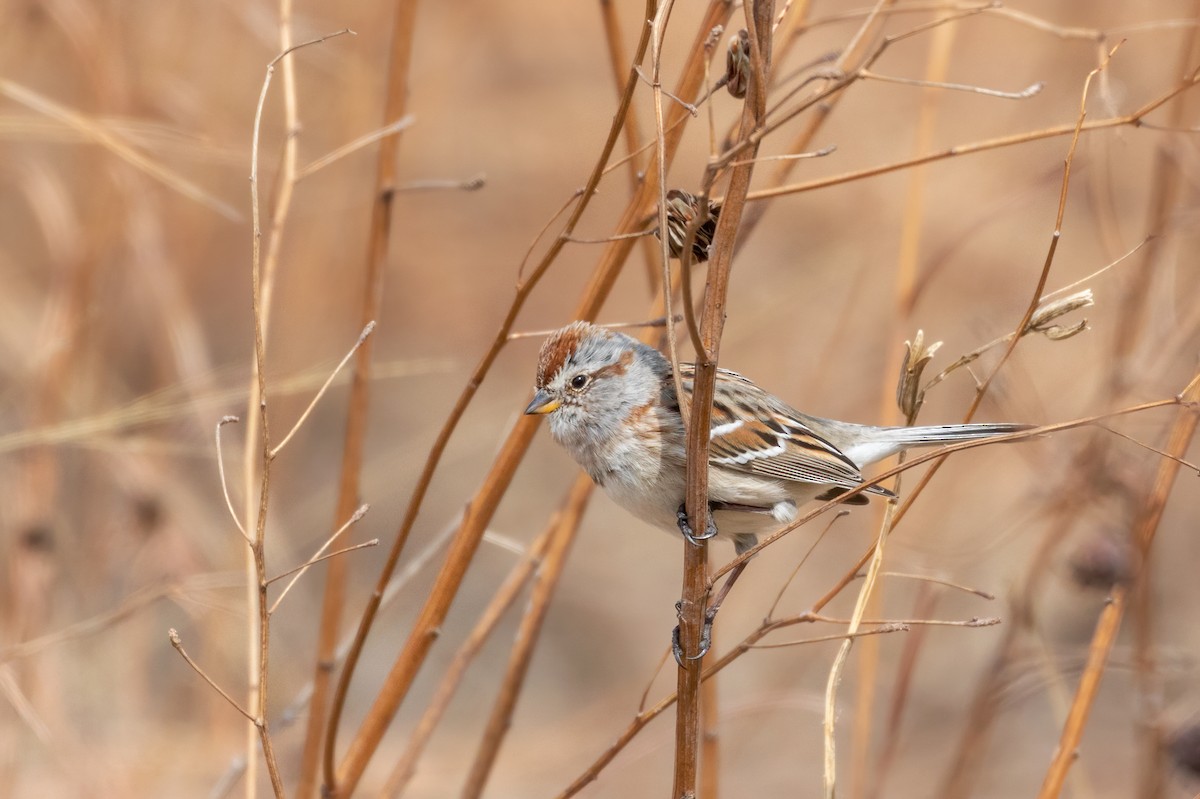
349 490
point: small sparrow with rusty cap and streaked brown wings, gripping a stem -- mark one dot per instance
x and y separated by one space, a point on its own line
613 405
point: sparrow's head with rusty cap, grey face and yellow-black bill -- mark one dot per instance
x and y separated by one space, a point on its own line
592 380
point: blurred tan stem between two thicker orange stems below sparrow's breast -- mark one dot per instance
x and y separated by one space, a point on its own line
503 599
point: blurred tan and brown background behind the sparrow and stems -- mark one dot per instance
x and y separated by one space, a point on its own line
127 334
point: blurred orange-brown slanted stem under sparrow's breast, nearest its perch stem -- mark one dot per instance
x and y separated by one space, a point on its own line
549 574
